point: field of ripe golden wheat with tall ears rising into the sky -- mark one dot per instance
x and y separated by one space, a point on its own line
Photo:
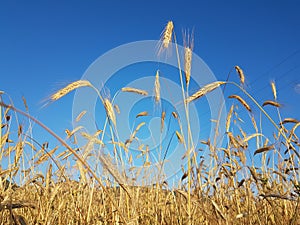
230 190
